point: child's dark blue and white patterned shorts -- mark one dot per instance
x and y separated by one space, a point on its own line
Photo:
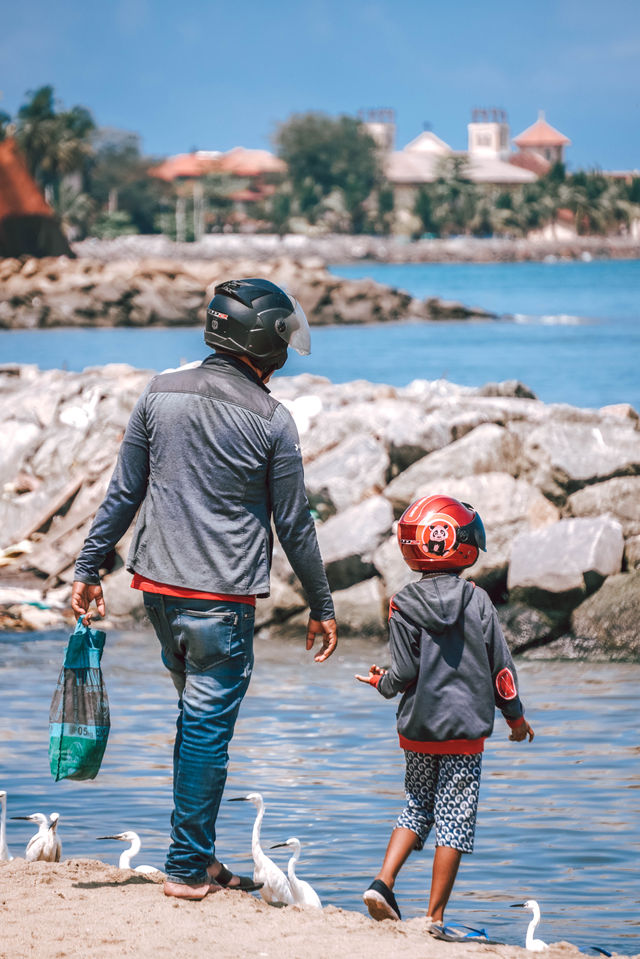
442 789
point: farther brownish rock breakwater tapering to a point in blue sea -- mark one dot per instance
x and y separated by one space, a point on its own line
59 291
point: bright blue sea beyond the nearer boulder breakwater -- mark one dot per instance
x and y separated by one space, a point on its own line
569 330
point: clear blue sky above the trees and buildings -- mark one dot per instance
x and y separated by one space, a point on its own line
213 74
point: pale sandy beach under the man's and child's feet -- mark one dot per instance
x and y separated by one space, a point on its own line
78 909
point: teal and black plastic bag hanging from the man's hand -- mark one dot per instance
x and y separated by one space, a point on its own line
79 715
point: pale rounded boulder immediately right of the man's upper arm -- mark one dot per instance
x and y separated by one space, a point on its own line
355 469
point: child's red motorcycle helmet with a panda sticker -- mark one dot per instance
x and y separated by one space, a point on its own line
440 532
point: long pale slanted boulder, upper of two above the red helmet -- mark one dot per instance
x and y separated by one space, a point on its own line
489 448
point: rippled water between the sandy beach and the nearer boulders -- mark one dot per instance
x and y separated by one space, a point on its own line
558 818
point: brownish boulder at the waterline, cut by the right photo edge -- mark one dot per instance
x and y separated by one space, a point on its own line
609 619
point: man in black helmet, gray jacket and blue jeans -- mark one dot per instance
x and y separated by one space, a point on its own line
210 457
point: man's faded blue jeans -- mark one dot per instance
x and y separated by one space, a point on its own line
208 648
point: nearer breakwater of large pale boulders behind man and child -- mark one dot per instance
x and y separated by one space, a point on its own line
558 489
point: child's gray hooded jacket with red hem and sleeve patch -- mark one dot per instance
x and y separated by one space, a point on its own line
451 661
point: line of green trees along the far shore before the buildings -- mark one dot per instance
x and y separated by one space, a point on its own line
98 181
